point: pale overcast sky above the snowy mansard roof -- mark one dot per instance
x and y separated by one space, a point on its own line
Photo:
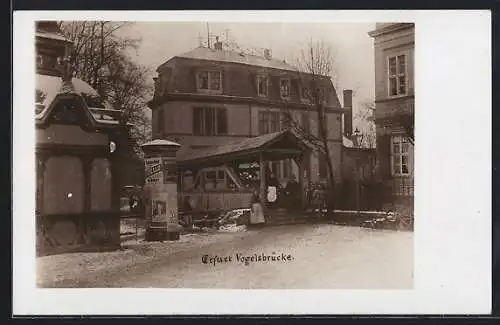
355 63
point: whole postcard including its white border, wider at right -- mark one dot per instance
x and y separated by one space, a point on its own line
251 162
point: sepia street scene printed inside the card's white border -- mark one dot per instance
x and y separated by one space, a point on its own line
292 151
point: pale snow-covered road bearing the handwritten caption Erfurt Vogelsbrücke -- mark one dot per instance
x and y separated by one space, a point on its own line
296 257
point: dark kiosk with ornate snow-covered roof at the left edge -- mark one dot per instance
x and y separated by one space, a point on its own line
79 143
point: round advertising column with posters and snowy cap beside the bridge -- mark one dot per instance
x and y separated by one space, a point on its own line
160 185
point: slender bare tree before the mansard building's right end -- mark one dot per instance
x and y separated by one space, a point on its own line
316 66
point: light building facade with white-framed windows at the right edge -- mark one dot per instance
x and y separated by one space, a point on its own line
394 45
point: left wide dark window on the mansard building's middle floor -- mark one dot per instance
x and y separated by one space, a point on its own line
209 121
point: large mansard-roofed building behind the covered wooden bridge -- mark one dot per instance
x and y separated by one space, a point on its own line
212 96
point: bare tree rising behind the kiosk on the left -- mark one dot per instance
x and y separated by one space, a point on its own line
100 57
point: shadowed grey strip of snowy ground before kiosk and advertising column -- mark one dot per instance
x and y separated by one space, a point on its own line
62 268
